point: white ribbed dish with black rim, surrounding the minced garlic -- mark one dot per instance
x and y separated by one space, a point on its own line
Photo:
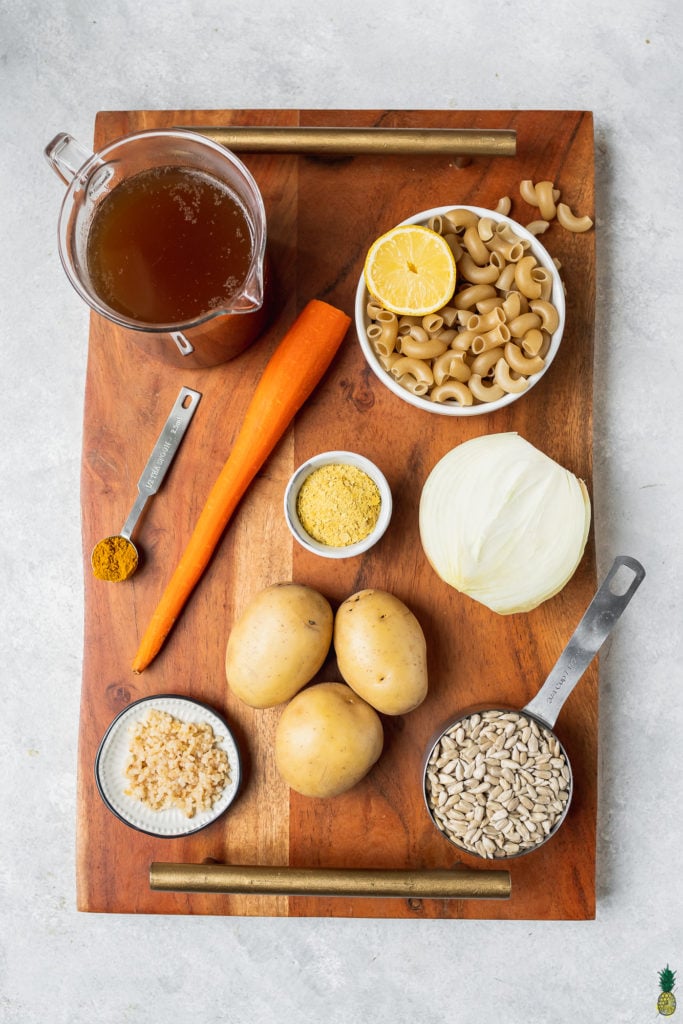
113 756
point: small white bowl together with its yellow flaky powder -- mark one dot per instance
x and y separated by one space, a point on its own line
338 504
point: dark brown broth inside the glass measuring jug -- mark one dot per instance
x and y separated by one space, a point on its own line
169 245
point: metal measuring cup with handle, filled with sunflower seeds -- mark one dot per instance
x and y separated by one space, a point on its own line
486 742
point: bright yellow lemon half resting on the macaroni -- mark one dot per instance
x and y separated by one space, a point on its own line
411 271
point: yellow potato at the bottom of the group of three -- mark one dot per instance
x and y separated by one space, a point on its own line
327 741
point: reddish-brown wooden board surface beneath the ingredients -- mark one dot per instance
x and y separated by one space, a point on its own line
323 215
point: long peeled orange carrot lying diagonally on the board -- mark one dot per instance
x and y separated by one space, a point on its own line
294 370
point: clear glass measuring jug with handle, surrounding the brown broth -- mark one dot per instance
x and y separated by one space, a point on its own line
234 320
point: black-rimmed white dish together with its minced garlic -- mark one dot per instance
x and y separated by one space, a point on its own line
168 766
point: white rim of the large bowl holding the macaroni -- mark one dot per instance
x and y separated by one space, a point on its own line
558 298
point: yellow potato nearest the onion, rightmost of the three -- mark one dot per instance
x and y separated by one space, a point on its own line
381 652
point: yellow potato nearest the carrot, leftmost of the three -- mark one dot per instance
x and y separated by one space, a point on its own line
278 645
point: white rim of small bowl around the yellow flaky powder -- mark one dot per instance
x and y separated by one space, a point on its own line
336 458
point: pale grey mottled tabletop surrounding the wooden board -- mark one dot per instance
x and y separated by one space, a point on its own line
60 64
